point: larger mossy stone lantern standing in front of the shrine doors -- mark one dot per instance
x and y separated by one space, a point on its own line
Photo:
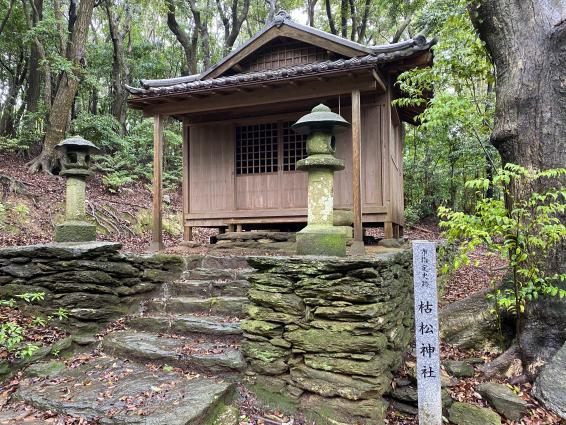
321 237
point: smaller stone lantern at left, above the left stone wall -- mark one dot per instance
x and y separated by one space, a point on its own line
76 162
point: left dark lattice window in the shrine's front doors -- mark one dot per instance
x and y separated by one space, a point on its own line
256 149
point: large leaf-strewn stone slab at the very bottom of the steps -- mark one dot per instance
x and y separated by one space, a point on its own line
116 391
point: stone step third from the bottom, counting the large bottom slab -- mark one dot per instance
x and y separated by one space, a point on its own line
187 325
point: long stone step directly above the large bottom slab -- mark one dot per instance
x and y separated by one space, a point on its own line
188 353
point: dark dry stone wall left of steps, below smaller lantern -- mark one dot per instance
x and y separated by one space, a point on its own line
93 281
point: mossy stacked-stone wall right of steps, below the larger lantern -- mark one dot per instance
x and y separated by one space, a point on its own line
324 334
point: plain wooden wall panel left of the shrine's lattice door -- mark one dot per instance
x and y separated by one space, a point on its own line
211 167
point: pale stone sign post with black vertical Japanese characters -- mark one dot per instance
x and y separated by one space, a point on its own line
426 331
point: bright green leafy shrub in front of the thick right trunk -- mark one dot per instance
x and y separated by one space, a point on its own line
522 228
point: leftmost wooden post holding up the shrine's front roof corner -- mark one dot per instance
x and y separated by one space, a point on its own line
157 233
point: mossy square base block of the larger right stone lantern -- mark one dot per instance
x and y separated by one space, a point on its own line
321 240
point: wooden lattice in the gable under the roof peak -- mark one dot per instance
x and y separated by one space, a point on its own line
286 56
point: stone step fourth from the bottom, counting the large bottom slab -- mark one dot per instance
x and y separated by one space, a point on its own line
225 306
